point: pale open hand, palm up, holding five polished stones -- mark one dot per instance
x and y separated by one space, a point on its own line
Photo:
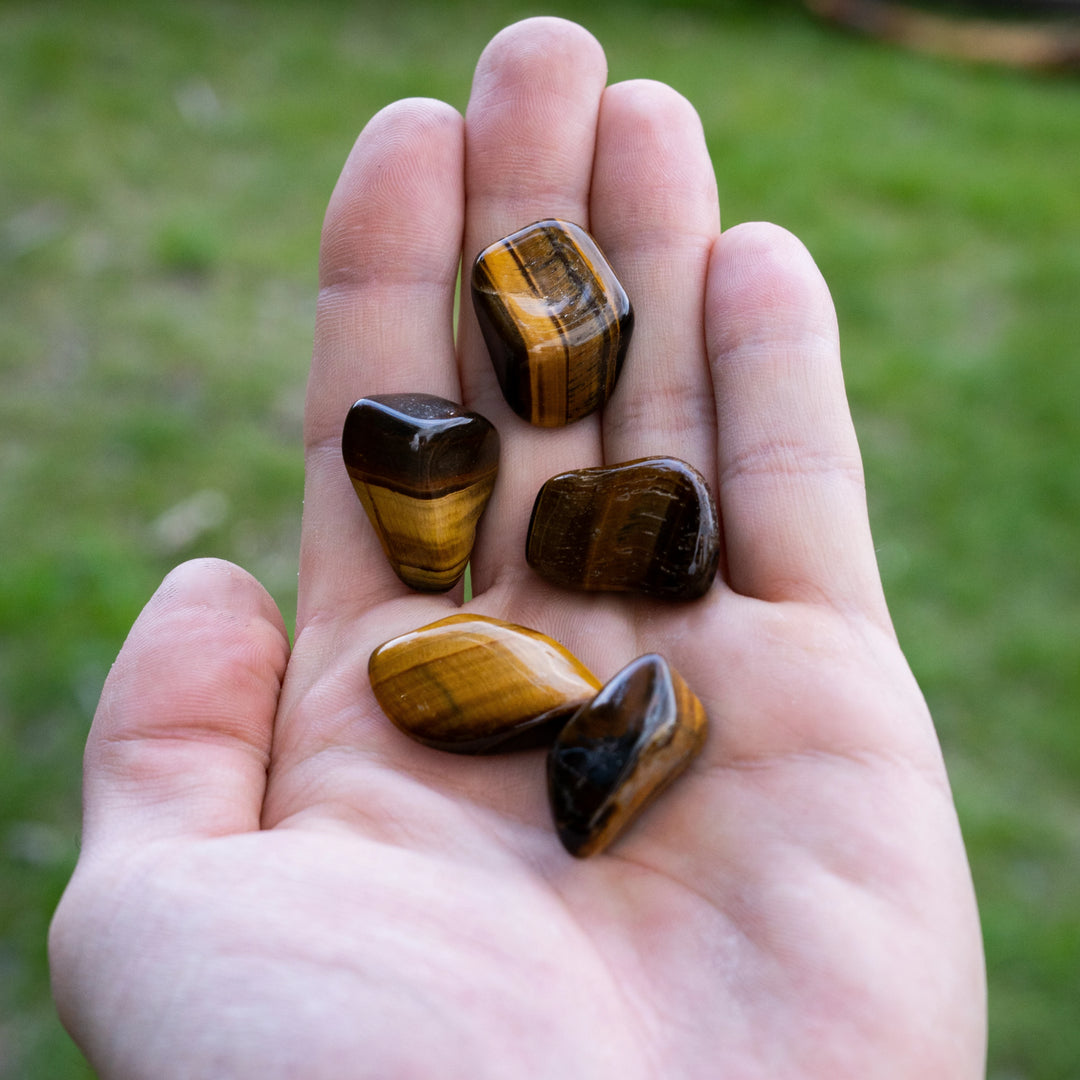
276 883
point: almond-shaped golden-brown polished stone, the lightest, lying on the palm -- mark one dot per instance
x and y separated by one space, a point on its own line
471 684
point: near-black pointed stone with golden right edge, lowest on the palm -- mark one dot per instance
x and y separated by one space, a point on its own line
620 751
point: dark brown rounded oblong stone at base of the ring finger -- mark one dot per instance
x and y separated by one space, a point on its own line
646 526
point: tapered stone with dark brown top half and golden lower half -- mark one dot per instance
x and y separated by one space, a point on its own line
424 469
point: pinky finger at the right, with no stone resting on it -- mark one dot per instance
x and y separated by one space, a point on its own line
791 478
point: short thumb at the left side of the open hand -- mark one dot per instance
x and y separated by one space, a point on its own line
181 740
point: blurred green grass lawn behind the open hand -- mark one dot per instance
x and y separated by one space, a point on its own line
164 174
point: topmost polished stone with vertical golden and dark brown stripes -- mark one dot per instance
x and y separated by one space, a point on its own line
557 321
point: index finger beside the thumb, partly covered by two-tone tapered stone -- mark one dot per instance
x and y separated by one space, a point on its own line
390 253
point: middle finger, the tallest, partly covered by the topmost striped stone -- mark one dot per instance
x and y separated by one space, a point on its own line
531 131
